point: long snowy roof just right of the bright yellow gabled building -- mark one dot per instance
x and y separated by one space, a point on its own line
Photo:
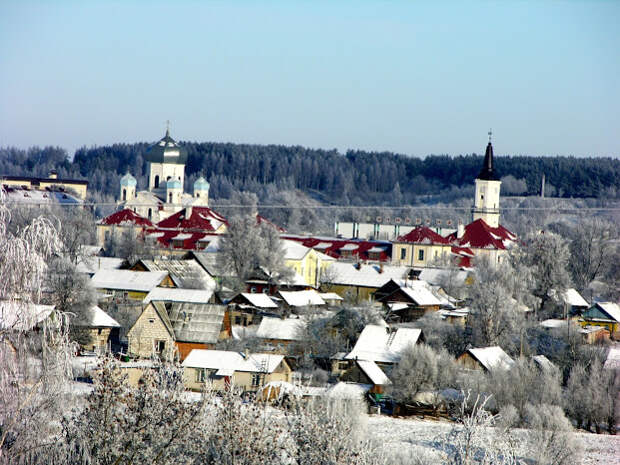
362 275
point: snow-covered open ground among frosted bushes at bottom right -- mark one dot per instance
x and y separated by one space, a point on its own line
411 434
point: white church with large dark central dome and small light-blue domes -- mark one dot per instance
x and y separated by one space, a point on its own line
166 194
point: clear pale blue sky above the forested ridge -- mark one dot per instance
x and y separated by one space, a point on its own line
410 77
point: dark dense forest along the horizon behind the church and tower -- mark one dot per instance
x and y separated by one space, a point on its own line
356 177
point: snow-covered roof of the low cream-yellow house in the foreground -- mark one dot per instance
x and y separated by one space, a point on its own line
232 361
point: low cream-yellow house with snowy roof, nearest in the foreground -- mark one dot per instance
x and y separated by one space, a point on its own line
223 368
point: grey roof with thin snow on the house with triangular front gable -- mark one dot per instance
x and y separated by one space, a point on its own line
200 323
